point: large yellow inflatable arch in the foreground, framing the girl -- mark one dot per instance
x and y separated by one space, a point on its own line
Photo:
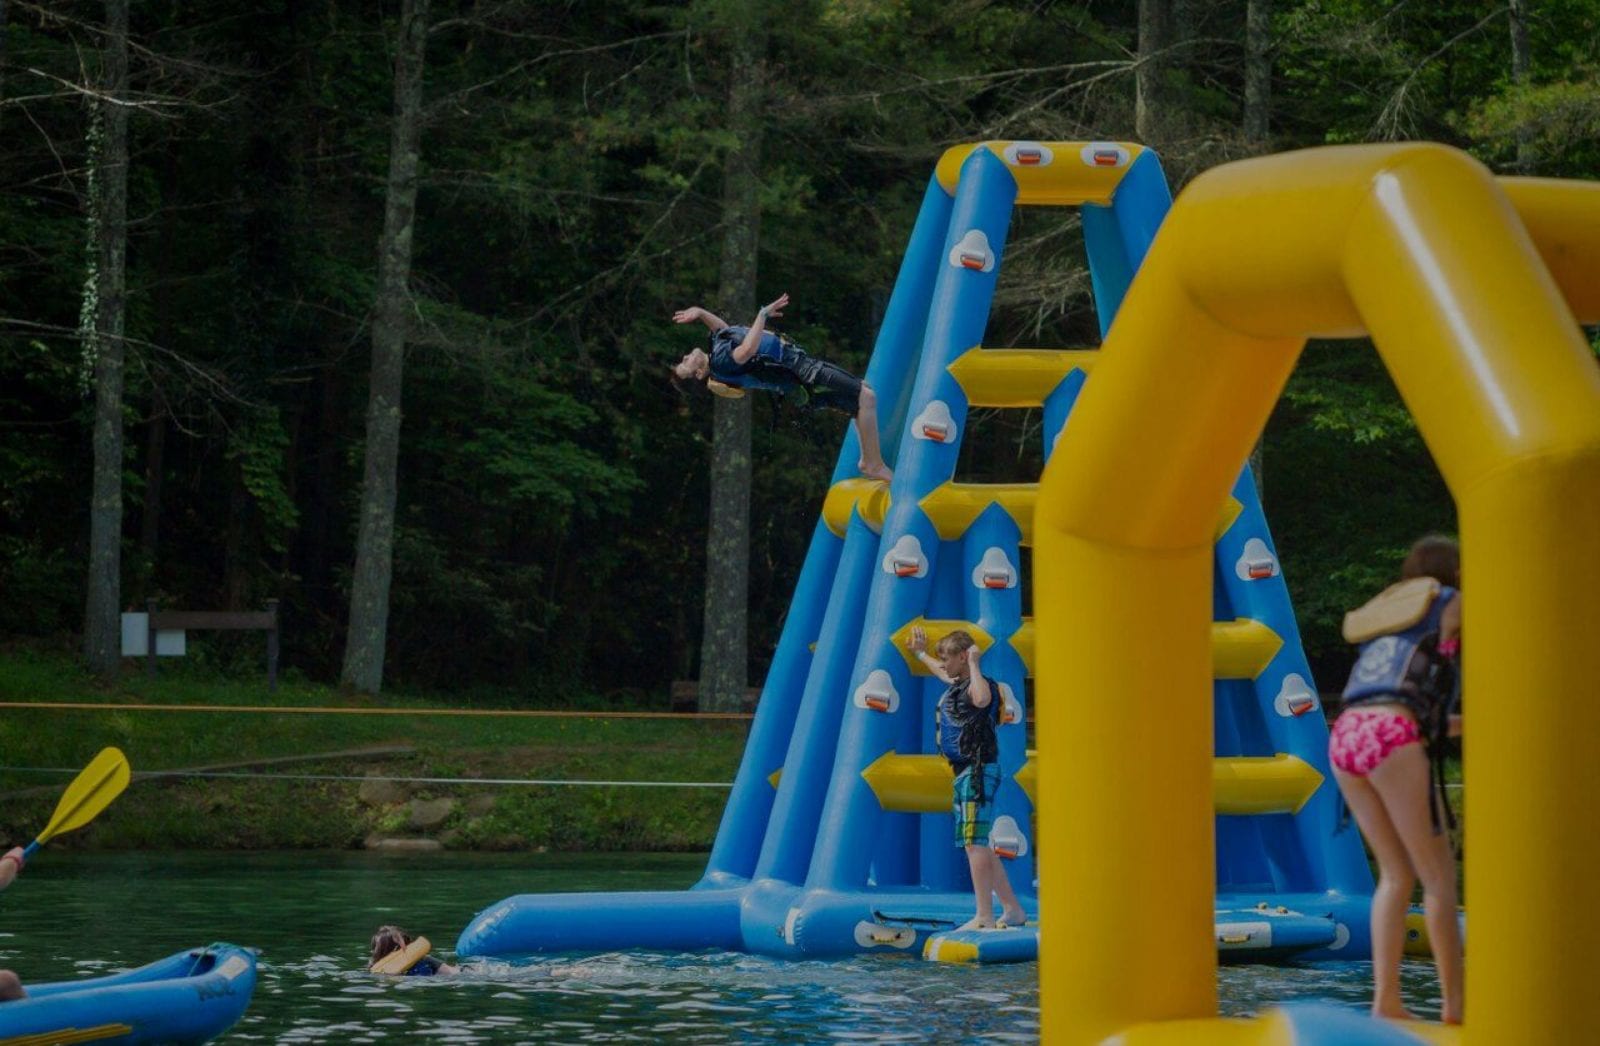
1470 290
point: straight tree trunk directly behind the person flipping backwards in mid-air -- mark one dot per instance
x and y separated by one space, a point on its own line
726 645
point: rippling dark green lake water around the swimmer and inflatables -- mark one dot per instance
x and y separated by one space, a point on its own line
311 914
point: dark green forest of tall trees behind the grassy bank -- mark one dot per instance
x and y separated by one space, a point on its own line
367 306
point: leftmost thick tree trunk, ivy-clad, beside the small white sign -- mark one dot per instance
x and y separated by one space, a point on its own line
103 314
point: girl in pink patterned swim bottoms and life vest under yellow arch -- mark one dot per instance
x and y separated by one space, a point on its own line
1383 772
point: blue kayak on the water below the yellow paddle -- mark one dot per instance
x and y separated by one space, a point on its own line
190 997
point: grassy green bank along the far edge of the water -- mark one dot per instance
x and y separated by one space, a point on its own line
278 807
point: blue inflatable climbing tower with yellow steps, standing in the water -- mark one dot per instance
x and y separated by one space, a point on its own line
838 837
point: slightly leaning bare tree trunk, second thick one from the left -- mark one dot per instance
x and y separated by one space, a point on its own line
364 647
